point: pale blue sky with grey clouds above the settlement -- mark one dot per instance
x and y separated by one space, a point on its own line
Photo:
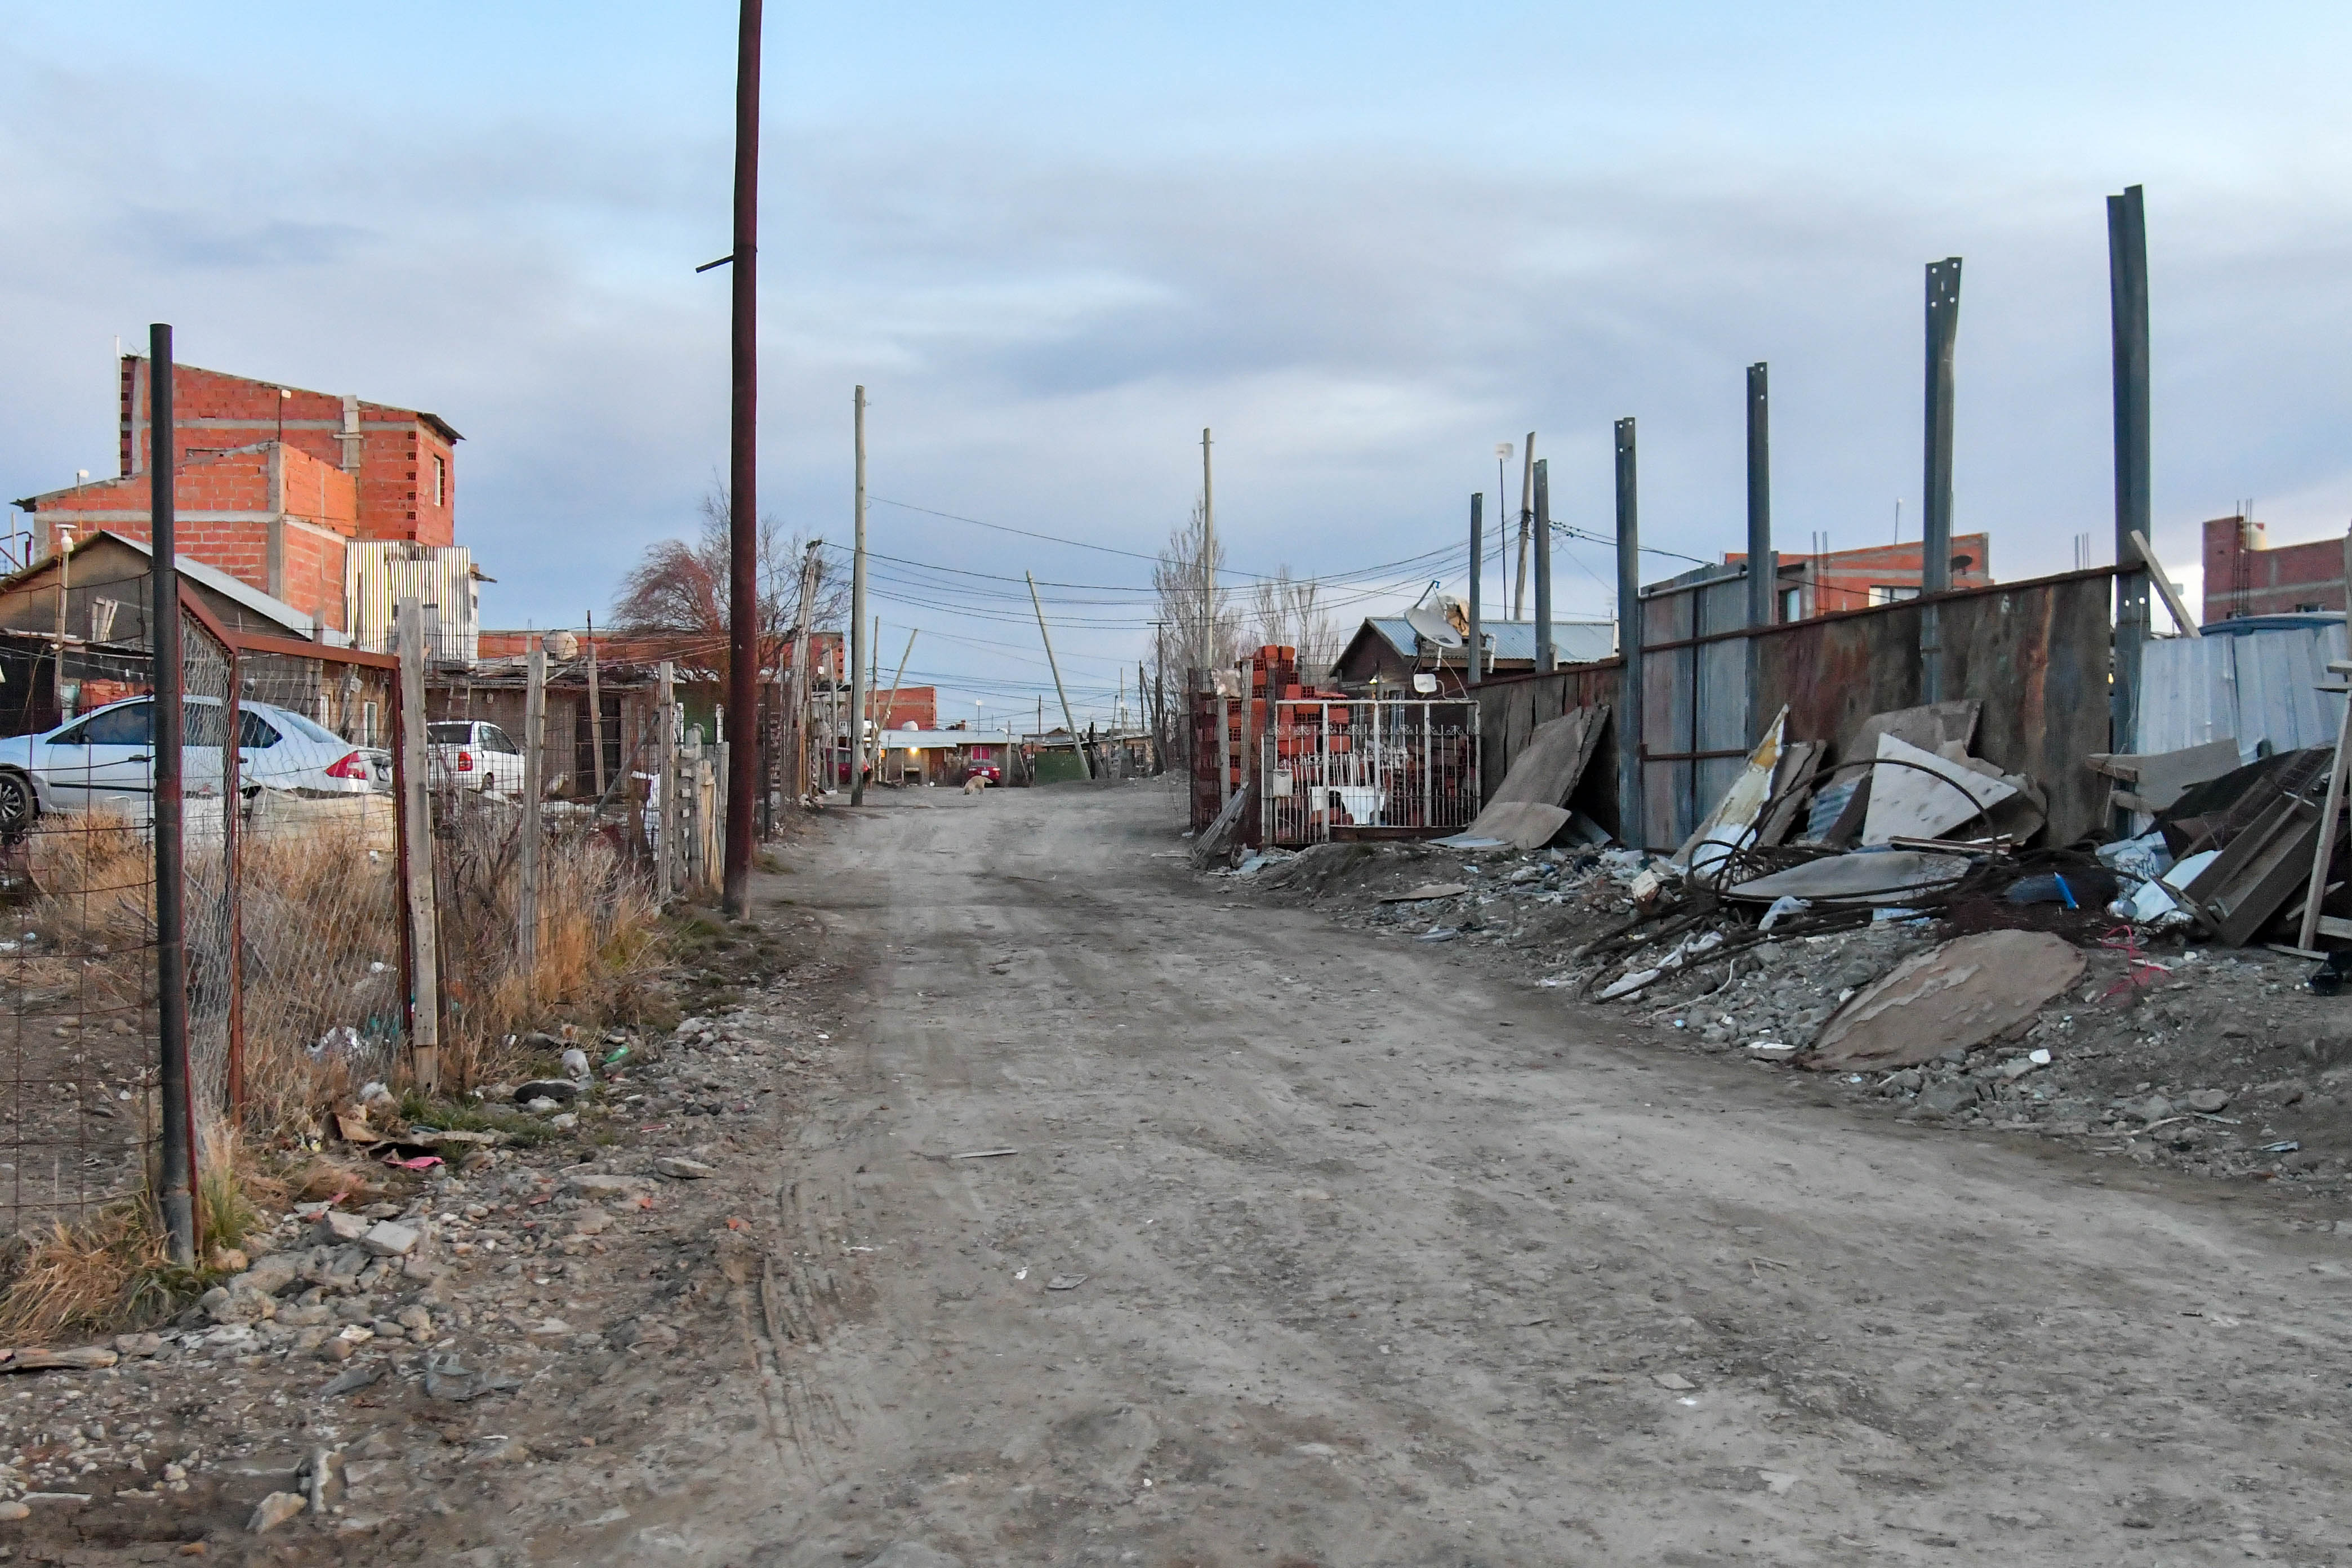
1055 241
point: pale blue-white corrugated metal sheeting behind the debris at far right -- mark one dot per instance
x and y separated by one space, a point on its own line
2254 683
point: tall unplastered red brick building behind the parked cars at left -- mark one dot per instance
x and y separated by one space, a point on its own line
274 483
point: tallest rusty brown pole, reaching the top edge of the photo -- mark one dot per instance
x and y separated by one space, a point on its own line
744 474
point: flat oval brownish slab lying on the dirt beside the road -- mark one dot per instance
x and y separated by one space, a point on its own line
1949 998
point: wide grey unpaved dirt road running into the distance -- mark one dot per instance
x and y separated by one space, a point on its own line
1379 1264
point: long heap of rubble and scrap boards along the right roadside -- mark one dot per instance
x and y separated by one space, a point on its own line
2118 993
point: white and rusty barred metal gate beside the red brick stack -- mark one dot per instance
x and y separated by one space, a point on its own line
1370 770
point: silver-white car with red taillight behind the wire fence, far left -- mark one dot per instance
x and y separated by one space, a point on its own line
107 760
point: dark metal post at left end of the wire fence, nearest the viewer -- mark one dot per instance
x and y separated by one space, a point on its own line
171 883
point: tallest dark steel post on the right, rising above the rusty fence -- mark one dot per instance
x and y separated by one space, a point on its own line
2127 304
